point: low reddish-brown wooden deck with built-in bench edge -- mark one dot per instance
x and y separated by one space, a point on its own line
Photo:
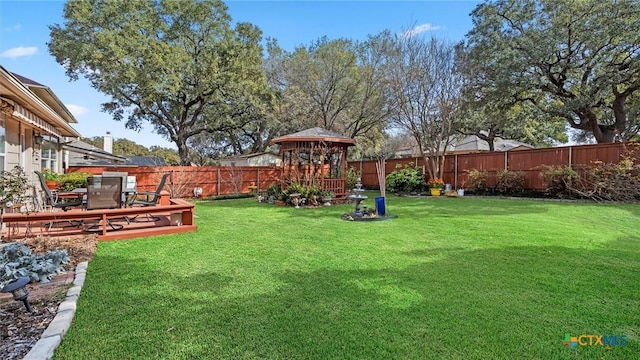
176 216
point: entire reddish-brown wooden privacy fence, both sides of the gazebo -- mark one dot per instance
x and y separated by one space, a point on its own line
224 180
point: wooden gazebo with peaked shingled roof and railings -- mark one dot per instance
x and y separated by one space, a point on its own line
315 157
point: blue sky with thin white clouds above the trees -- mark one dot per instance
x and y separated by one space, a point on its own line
24 34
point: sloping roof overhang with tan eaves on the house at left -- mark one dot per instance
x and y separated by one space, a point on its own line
35 104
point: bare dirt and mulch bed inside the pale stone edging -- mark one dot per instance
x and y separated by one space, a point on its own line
19 329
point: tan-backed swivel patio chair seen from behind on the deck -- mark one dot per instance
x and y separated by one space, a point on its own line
104 193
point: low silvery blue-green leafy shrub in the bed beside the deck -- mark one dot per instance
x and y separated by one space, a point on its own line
17 260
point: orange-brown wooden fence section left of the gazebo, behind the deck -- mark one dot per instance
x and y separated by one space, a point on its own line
213 180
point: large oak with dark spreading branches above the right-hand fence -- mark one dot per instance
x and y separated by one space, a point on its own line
578 60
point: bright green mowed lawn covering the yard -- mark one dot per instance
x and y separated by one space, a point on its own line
466 278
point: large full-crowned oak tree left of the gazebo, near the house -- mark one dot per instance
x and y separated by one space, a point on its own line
178 65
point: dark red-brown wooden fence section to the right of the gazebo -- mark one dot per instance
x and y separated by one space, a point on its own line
530 162
